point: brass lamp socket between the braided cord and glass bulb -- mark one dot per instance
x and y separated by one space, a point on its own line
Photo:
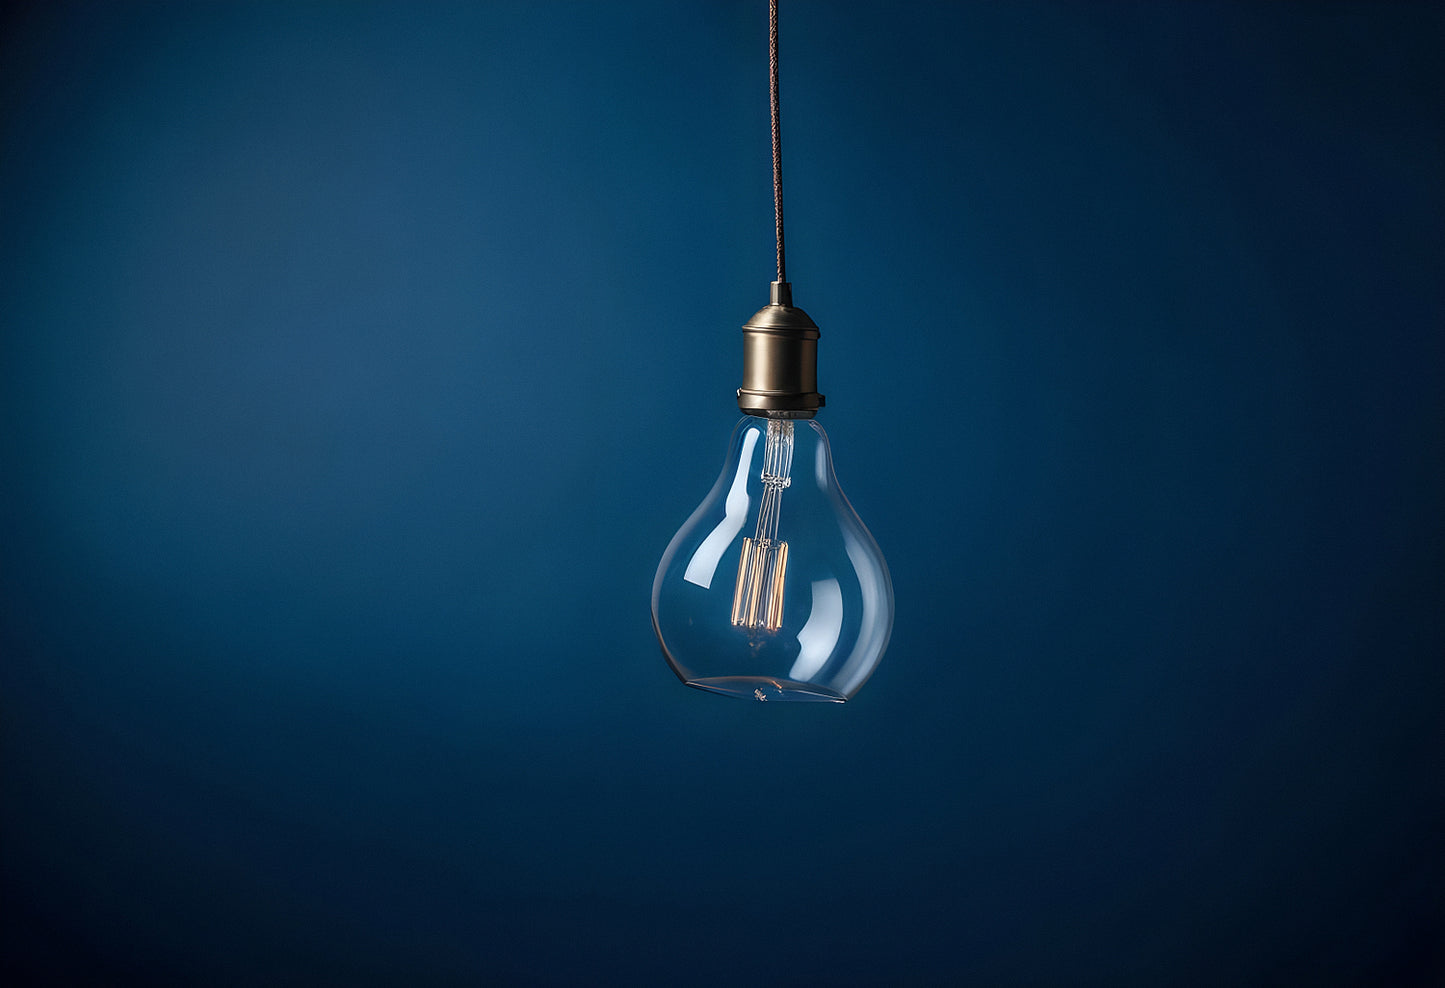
781 360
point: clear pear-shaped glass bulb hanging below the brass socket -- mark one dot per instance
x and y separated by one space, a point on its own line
774 590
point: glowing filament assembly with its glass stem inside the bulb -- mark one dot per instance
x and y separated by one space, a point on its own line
758 597
